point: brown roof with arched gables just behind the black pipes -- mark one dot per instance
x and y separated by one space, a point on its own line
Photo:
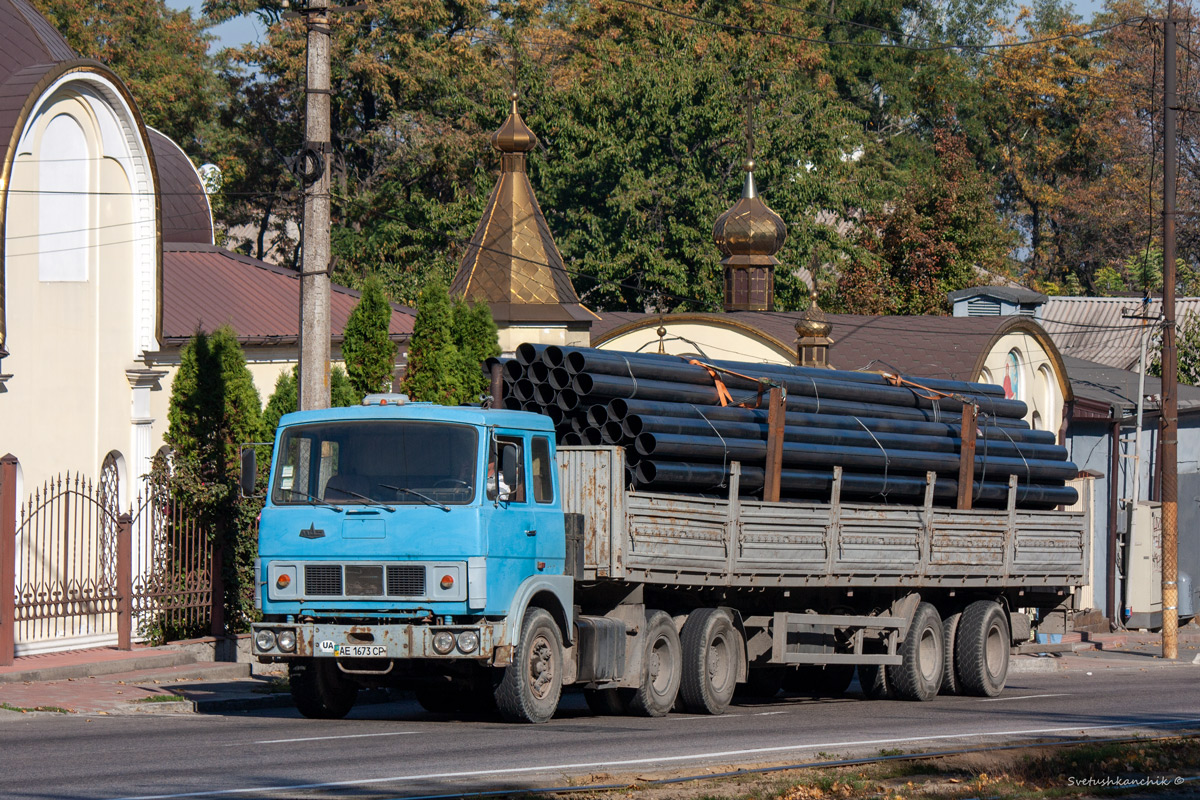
931 347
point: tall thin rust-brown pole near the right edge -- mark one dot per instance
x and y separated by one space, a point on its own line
1171 358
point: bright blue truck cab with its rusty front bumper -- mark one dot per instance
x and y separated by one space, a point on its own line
406 542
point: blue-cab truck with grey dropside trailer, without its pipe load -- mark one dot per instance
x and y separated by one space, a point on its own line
459 554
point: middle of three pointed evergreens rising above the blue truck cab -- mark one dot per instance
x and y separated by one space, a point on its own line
434 363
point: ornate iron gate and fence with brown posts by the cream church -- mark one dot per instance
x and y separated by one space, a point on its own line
82 574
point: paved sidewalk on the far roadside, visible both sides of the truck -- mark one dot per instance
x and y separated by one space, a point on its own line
172 681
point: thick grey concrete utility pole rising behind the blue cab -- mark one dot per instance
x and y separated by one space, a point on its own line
314 169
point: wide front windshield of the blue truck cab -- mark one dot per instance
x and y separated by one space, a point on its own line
383 464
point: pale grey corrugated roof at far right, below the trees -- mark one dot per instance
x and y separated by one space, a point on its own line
1095 329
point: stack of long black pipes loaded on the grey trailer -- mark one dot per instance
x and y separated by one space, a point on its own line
679 436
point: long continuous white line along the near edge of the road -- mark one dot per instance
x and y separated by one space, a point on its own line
664 760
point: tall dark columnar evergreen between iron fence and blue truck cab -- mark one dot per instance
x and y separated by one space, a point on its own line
214 411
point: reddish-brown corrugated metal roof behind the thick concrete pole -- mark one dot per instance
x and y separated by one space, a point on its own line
205 287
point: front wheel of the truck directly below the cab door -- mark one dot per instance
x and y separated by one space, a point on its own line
533 683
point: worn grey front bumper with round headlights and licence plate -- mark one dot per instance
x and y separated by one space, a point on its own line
401 641
